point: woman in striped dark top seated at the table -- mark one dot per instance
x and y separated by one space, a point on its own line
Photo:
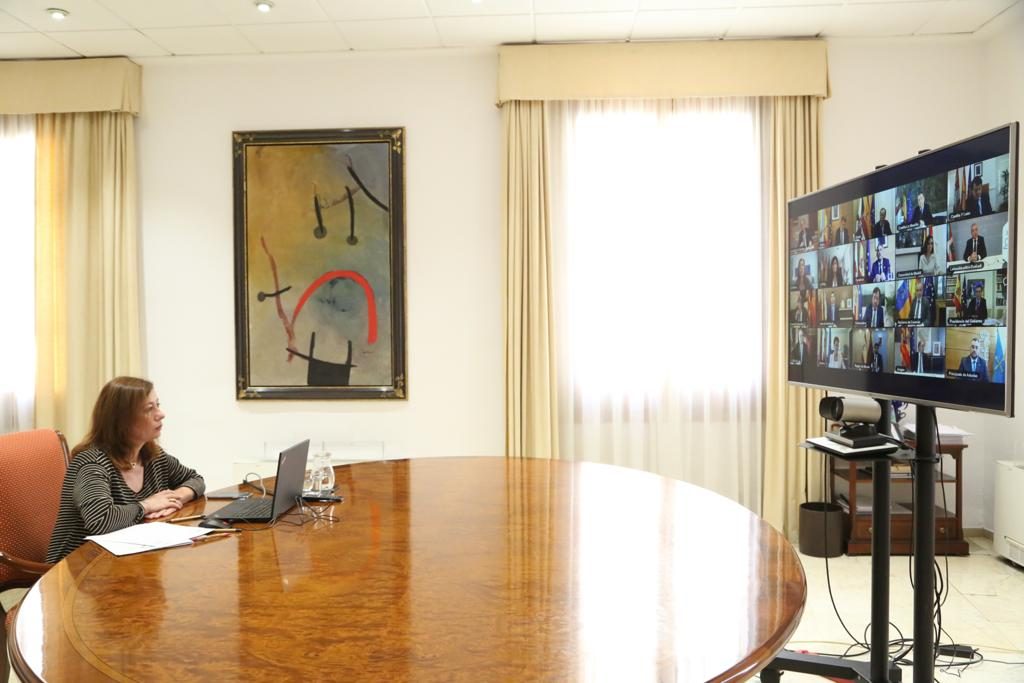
119 476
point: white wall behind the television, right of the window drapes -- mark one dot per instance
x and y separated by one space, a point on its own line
876 116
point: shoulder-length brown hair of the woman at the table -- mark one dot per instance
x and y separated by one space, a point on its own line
118 408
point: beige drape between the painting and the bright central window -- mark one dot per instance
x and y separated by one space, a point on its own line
531 382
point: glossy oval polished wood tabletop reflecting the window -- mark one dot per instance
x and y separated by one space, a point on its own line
437 570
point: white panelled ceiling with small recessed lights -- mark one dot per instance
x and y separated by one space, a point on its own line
172 28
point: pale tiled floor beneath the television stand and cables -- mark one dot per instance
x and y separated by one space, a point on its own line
985 610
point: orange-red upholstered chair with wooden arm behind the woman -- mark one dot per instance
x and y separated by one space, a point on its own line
32 472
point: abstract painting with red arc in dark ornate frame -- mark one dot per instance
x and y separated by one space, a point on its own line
320 264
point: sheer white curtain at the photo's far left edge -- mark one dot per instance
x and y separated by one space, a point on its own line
18 230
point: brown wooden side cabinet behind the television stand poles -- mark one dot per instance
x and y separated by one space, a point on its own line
858 479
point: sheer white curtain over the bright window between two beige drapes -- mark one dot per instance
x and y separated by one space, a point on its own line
659 217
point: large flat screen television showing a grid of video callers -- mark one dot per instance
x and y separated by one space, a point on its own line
902 281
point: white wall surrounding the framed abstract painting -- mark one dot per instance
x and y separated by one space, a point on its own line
454 308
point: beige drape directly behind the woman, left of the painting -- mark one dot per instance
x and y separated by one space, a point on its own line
88 271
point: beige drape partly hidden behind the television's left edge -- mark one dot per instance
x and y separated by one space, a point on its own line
792 413
